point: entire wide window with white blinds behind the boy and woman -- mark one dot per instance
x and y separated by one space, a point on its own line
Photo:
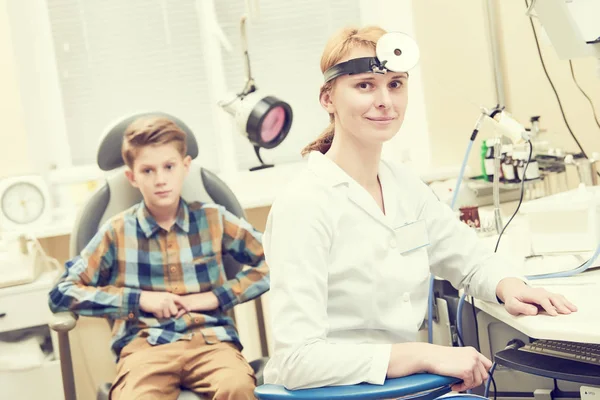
85 64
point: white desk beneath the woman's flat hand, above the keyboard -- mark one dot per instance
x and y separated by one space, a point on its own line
497 326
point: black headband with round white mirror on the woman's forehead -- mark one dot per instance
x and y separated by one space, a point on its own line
395 51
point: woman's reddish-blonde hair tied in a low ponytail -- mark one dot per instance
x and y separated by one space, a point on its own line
336 49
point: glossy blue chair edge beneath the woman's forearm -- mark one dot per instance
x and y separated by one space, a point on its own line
418 386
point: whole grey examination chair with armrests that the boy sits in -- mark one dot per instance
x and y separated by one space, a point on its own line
118 195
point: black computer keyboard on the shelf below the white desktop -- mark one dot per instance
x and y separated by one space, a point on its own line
582 352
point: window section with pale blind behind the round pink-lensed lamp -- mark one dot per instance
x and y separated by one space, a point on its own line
285 44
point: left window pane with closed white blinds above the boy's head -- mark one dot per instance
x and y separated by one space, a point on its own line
116 58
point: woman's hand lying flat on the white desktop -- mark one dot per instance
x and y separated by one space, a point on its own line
519 298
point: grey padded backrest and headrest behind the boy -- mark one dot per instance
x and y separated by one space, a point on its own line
117 194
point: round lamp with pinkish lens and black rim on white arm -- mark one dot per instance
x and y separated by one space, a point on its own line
264 120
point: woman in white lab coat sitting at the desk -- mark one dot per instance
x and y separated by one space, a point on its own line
352 241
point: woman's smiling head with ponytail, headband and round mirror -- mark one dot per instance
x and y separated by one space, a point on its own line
355 75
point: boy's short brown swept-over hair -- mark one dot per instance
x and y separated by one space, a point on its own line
149 131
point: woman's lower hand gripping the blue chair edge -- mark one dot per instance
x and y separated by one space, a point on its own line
465 363
